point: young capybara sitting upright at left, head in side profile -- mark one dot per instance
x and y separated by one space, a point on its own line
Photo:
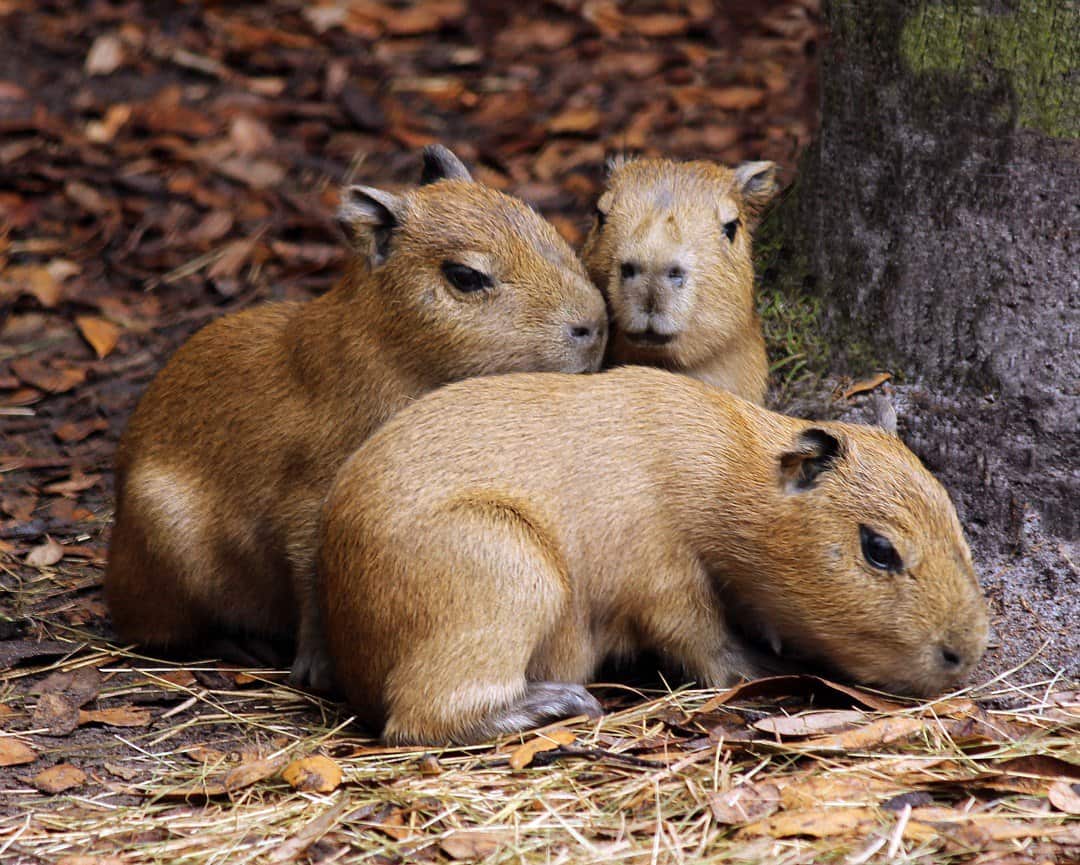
232 450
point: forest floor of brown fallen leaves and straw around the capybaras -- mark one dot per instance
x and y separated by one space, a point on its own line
165 165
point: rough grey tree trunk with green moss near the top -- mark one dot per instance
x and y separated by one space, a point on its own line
940 218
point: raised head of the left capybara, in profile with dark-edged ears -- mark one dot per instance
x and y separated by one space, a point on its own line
474 281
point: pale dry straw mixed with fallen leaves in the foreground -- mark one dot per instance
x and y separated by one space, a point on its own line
202 765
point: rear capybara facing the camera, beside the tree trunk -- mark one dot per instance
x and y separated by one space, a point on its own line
656 217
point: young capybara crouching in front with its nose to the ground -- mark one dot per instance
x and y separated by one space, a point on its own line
489 548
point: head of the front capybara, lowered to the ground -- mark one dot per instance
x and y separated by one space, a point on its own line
874 576
